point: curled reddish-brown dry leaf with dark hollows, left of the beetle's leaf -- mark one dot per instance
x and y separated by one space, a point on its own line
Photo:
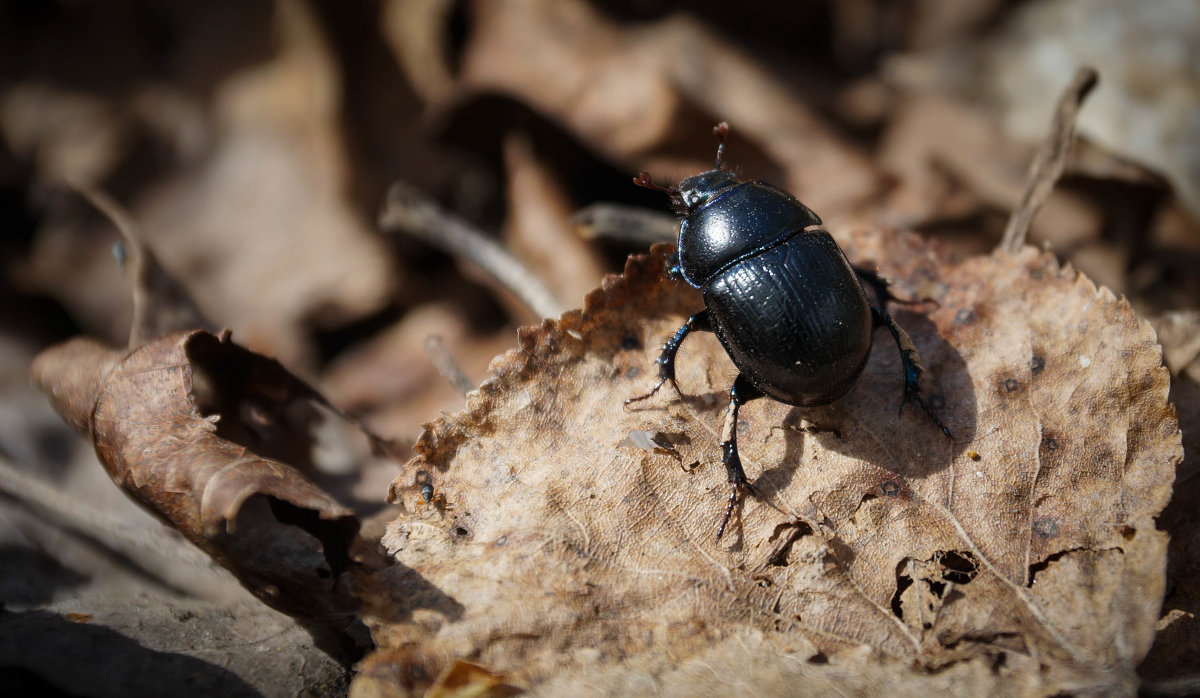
202 432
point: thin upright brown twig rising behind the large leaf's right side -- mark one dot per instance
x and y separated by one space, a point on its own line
1051 160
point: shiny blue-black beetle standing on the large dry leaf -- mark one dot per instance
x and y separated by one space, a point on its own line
782 298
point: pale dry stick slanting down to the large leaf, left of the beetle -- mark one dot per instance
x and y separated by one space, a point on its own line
410 212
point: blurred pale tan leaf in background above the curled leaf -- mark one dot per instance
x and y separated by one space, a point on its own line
267 215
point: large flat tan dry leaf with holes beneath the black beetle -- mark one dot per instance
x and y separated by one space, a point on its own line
877 553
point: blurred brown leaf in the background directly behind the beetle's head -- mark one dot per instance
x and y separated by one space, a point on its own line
629 91
